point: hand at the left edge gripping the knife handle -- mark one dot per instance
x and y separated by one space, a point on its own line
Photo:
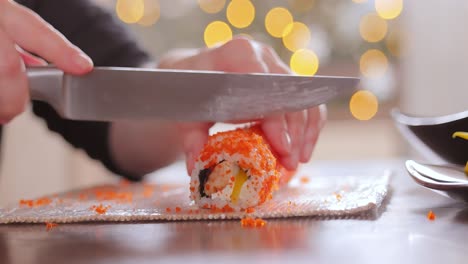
21 31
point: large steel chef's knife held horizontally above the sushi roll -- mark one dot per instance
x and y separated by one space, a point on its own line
109 93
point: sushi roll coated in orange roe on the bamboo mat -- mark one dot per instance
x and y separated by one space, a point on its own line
236 170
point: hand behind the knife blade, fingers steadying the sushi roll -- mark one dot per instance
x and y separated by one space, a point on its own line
293 135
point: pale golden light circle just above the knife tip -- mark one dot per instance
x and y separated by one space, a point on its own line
373 63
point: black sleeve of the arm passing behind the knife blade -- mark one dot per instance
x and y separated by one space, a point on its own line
108 43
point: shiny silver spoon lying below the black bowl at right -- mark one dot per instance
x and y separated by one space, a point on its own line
446 180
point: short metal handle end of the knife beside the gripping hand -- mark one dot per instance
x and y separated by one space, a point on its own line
45 84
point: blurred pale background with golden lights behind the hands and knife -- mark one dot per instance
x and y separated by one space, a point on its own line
409 55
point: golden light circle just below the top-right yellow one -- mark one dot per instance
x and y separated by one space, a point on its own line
373 28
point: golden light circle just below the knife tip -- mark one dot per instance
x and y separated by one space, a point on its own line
363 105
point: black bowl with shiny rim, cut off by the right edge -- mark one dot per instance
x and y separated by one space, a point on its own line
432 136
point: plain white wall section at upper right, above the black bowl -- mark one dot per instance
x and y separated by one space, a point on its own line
436 57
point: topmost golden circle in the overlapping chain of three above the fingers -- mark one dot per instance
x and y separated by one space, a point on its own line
276 21
